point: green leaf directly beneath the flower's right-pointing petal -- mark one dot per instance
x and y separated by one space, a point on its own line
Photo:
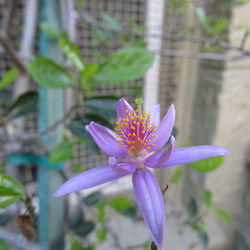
207 165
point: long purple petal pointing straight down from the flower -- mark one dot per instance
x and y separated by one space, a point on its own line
150 200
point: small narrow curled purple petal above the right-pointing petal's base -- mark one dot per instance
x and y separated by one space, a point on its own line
160 158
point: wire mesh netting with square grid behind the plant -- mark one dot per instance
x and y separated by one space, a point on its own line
125 12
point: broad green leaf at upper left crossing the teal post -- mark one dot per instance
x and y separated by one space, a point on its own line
49 74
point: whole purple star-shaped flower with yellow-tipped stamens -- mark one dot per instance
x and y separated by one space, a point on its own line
136 138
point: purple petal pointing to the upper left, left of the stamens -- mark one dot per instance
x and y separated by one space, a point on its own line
106 140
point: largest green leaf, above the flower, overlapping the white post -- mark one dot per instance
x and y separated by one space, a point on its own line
125 65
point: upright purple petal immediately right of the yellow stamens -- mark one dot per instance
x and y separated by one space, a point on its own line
164 129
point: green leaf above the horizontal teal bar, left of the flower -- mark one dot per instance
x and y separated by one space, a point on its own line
62 152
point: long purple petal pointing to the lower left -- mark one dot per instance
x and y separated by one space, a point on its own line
87 179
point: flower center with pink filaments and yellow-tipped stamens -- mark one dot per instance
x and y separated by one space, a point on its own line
135 131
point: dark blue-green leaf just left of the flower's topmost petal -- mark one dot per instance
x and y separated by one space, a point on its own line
105 105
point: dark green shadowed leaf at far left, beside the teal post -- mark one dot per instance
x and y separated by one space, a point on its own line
23 104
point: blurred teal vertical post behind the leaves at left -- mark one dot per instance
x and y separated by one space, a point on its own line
51 210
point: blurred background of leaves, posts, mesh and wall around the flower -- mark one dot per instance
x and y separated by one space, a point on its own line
65 63
